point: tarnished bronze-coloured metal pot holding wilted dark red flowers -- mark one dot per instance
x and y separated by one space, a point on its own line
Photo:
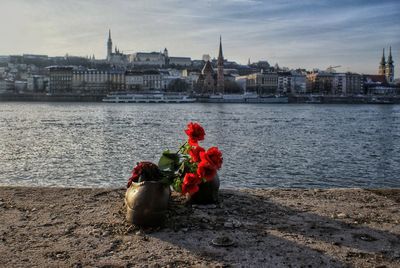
146 203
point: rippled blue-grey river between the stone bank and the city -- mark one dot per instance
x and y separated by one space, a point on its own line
96 144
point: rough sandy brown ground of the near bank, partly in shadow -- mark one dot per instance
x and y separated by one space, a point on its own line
59 227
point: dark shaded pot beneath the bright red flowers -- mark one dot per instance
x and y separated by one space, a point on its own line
207 194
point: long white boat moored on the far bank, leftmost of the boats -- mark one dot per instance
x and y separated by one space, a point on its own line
147 98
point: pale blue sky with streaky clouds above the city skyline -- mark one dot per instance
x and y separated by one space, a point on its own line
302 33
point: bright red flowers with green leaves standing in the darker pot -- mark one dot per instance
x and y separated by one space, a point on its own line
191 165
